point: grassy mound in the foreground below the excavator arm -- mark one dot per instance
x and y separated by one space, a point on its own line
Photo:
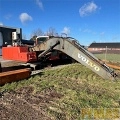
79 88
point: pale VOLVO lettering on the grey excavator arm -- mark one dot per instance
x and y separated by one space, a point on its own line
88 62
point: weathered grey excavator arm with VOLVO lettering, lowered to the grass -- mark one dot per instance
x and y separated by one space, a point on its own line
73 49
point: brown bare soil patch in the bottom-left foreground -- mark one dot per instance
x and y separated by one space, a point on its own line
24 105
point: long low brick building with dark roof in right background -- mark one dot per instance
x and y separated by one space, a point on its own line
105 47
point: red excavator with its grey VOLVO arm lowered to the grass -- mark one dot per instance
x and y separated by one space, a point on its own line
45 48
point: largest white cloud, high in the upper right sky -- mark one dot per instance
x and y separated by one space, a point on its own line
87 9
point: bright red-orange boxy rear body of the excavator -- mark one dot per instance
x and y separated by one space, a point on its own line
19 53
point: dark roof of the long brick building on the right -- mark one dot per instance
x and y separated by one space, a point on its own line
104 45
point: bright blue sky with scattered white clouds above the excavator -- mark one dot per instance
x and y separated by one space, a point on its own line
85 20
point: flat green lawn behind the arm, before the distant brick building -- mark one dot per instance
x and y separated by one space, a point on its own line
109 57
